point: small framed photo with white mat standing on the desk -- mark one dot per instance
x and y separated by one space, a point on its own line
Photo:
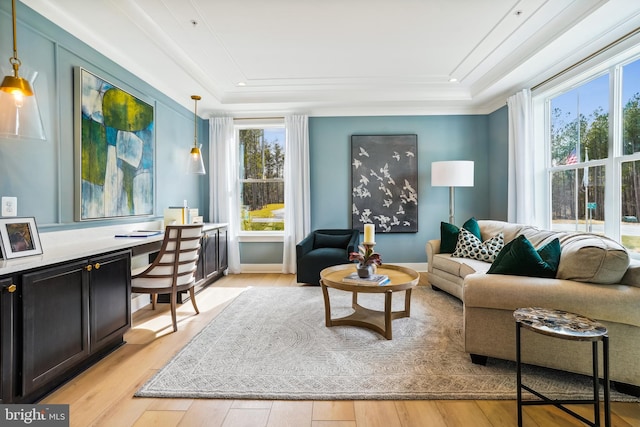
19 237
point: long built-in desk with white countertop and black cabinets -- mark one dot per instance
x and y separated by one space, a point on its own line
65 309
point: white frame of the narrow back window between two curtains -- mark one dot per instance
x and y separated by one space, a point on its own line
257 123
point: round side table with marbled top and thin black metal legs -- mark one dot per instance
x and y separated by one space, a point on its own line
568 326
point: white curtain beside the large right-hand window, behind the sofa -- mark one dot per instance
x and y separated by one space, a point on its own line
521 184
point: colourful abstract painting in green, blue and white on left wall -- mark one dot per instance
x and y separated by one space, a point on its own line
114 143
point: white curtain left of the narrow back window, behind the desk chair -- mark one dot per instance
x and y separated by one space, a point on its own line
223 167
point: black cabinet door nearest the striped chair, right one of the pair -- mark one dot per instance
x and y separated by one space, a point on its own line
109 298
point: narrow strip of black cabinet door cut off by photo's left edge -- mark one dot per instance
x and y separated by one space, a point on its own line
7 340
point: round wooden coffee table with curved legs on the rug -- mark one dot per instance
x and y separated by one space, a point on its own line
401 279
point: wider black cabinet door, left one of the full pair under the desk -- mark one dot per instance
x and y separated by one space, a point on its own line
55 321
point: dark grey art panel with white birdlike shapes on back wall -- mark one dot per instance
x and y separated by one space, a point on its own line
384 182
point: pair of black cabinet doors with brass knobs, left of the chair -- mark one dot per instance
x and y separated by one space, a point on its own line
71 312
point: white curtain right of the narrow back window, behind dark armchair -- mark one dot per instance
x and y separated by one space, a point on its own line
297 217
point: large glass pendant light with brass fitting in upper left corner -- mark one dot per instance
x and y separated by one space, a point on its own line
19 113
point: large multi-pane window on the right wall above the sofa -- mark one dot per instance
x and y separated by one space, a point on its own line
593 130
